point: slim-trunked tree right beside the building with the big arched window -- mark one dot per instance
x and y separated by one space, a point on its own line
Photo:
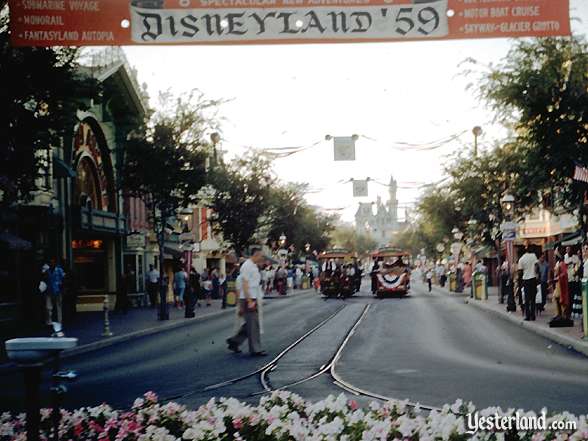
164 164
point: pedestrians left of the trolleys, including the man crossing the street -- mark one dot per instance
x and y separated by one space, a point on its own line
250 280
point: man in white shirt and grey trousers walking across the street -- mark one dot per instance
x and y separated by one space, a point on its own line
249 294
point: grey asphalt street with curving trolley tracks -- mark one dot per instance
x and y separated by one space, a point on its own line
429 348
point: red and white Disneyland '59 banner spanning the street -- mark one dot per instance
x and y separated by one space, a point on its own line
143 22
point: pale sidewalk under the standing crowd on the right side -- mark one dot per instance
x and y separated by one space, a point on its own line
569 337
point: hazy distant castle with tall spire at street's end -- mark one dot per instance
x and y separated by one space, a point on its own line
382 224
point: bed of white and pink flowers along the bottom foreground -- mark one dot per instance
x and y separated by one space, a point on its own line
282 416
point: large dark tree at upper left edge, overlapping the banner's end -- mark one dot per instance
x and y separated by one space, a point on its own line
43 89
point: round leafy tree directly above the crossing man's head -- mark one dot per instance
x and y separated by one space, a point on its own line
241 199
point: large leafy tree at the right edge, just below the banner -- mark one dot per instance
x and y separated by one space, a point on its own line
541 90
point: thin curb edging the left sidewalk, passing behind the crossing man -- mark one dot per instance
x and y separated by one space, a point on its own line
8 368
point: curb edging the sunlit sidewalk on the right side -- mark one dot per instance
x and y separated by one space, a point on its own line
564 340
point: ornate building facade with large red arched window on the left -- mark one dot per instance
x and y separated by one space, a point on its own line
77 216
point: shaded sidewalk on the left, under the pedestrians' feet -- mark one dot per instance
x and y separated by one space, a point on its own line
139 322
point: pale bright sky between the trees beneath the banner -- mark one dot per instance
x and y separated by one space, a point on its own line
295 95
